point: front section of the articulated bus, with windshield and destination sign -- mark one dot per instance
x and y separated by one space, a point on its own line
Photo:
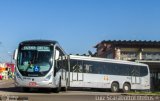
41 64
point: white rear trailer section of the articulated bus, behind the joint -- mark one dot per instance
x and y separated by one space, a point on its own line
111 74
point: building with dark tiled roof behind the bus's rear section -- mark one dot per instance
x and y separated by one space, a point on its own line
147 52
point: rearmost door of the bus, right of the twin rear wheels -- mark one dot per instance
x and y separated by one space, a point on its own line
135 75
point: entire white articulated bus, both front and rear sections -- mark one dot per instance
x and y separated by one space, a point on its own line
44 64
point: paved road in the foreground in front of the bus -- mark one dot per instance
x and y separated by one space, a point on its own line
9 93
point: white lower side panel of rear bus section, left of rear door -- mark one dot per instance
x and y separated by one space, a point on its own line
98 81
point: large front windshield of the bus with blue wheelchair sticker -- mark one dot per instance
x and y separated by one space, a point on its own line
35 60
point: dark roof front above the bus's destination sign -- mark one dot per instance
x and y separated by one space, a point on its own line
41 42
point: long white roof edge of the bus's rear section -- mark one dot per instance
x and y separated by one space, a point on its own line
105 60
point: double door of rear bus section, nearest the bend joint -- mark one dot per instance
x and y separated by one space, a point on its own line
77 74
